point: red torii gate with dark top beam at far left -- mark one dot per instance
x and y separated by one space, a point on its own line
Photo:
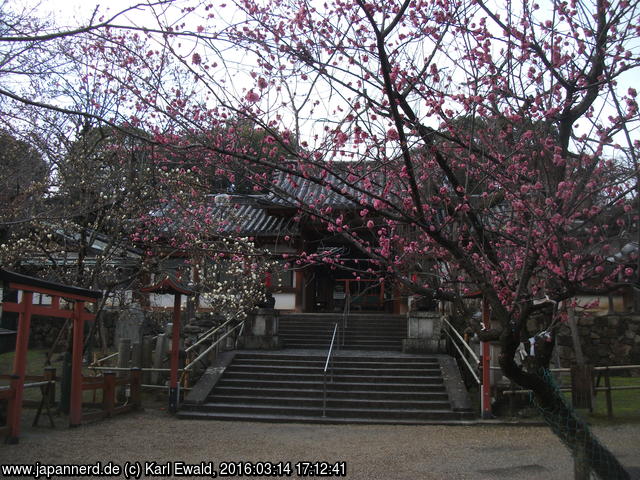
25 309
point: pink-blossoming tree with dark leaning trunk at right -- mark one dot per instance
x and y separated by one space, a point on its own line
498 143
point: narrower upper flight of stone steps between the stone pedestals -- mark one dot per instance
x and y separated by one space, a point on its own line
362 332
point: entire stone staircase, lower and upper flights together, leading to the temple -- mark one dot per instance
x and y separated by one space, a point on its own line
372 381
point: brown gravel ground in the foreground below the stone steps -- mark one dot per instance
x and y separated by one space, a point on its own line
370 452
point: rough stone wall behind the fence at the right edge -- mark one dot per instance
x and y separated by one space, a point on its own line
606 340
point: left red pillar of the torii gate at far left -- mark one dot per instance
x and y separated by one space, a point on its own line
20 366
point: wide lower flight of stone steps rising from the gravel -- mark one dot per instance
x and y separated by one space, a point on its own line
287 386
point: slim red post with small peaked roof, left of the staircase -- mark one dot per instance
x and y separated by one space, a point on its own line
171 285
